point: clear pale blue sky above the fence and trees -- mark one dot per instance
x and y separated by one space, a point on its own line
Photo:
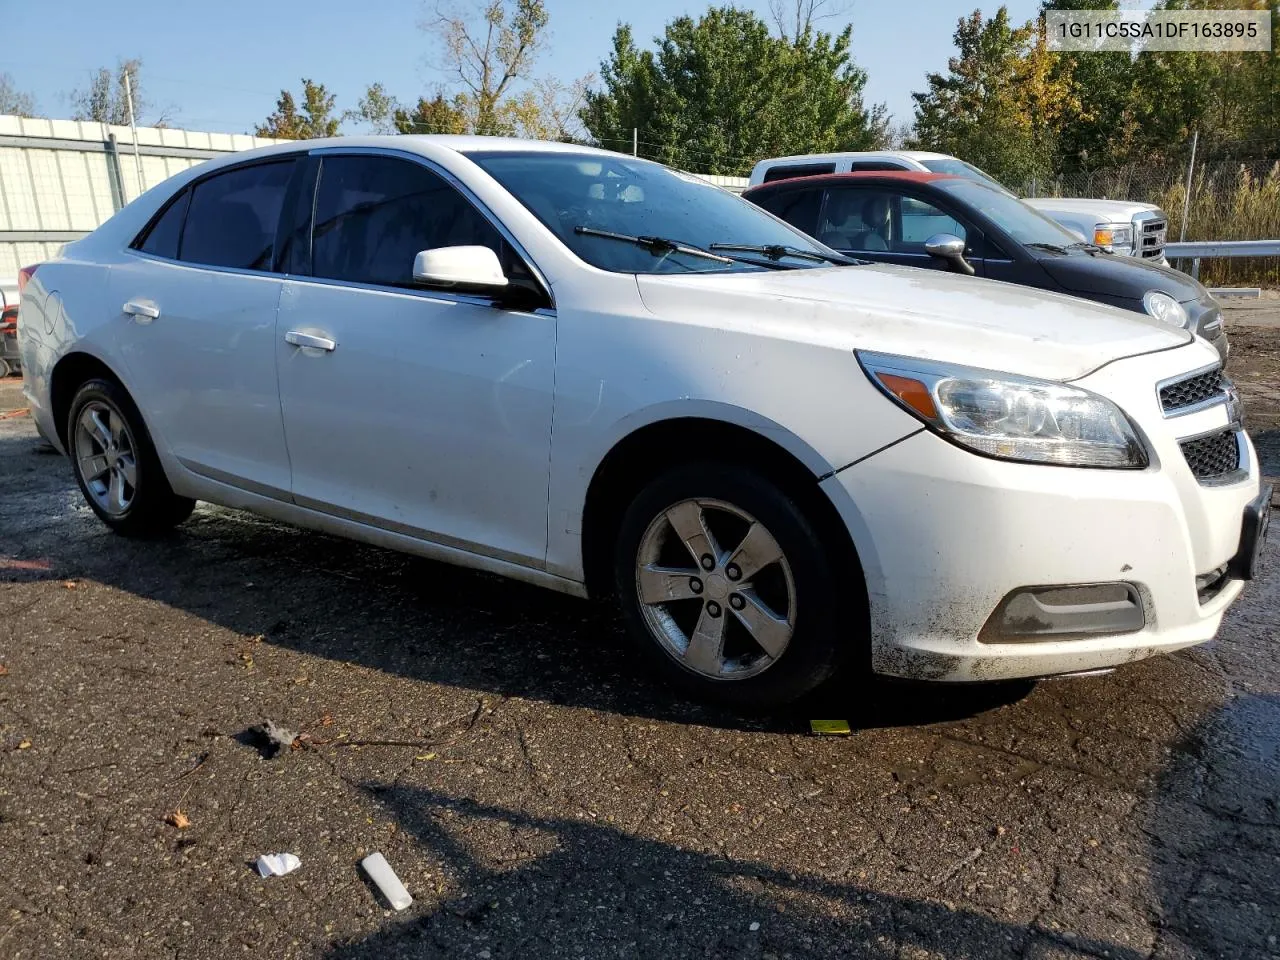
223 67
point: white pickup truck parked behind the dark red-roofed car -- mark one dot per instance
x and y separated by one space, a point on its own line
1117 226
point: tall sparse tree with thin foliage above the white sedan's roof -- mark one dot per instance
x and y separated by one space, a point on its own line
491 51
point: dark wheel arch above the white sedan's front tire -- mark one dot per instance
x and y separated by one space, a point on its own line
661 445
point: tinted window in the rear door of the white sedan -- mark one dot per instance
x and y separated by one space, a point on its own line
234 216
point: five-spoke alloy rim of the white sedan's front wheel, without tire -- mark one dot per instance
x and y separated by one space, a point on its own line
716 589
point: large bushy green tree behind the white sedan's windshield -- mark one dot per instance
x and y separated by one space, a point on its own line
721 93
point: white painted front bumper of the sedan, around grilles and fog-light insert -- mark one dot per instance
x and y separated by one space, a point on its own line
947 536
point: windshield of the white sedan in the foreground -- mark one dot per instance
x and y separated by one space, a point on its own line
583 196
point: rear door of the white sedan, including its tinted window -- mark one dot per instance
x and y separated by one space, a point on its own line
198 332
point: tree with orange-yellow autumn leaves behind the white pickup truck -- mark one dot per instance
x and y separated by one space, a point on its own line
1000 104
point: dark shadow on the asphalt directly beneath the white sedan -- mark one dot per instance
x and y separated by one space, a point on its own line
403 615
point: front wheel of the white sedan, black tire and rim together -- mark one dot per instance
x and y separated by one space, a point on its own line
728 588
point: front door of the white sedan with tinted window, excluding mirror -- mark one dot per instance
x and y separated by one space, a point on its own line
423 413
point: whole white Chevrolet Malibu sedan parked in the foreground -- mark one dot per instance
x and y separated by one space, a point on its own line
604 377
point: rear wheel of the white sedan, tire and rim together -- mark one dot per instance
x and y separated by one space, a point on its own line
117 467
